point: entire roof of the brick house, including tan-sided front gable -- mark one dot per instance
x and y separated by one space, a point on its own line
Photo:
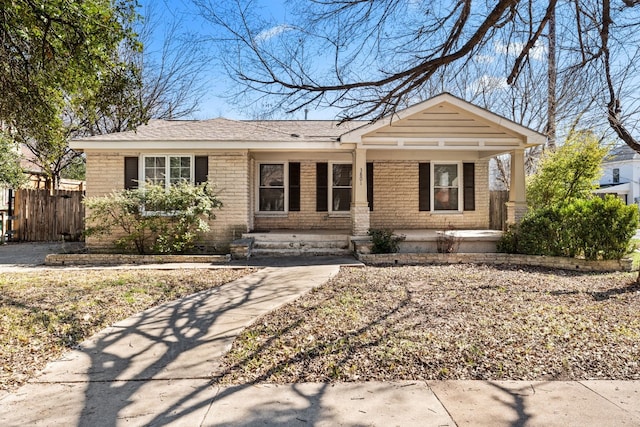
443 122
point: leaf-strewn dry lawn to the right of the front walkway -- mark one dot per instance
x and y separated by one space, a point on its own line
448 322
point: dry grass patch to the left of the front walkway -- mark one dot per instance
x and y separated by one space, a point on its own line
44 313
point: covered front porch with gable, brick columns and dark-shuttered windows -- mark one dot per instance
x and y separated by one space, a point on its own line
426 167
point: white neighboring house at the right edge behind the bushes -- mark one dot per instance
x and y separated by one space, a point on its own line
621 174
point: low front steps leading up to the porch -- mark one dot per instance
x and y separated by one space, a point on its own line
294 243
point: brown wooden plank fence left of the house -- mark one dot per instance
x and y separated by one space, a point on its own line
43 216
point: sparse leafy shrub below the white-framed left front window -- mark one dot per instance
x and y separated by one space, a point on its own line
153 219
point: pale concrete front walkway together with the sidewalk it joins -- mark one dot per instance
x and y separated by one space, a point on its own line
155 369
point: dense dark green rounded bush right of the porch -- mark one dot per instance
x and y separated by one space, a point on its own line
591 228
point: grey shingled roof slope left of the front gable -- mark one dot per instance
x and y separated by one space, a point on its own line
222 129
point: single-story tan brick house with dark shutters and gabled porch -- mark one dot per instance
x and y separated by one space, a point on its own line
425 167
